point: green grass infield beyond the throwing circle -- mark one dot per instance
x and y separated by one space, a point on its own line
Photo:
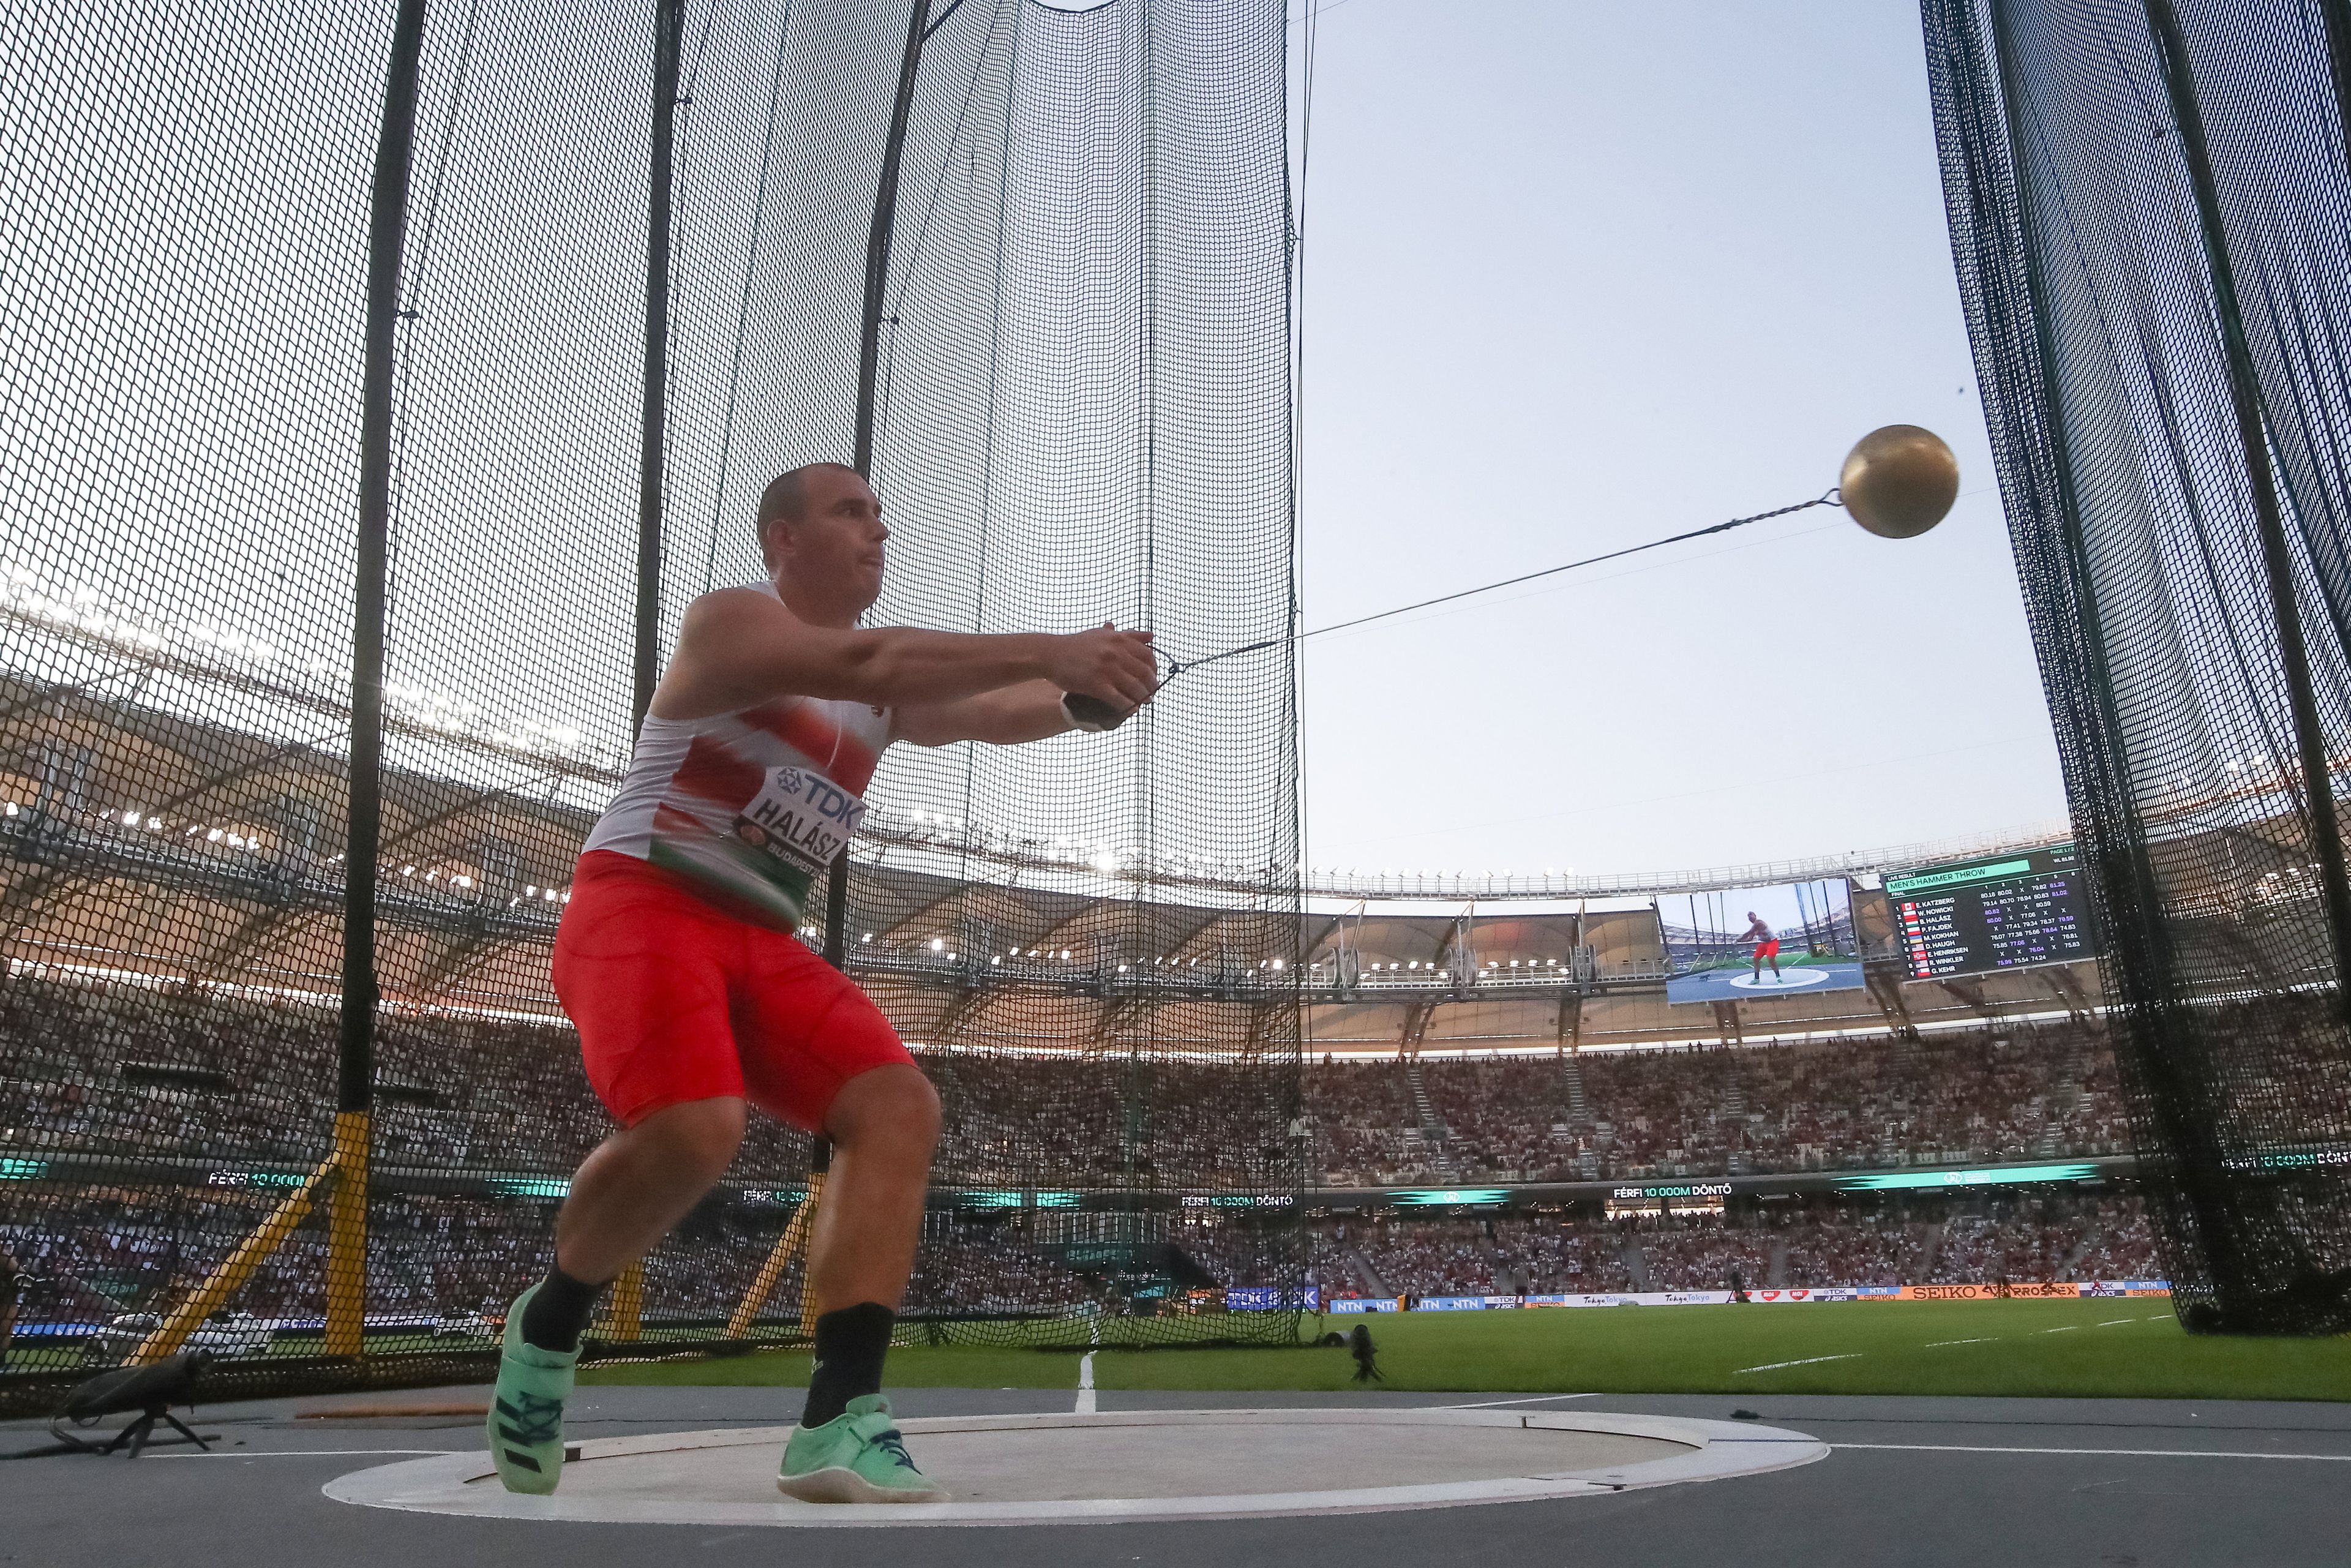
2119 1348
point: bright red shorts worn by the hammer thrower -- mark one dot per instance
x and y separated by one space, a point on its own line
681 1003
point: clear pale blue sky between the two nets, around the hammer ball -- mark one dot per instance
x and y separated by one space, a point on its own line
1581 276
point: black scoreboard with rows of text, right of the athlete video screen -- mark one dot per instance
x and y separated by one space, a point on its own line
1985 916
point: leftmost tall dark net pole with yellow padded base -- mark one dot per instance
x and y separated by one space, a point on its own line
356 1090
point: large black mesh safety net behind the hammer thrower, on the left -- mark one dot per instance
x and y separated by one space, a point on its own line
1078 413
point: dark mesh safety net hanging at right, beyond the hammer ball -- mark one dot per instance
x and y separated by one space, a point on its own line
2152 227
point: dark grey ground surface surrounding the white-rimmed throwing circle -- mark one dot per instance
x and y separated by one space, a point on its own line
262 1508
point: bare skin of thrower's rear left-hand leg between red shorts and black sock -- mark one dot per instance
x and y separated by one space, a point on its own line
641 1184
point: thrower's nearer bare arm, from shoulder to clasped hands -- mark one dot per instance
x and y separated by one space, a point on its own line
742 648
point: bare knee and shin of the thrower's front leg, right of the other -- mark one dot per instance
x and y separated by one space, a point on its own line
883 1127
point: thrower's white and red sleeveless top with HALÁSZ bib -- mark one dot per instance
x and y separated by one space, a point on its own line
749 805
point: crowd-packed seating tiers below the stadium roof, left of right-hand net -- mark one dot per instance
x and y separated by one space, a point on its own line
130 1071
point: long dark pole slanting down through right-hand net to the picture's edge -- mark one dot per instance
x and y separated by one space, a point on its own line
2270 523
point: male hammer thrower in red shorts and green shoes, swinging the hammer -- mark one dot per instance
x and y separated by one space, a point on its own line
695 1000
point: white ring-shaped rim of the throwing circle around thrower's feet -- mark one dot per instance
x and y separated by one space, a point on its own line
1710 1452
